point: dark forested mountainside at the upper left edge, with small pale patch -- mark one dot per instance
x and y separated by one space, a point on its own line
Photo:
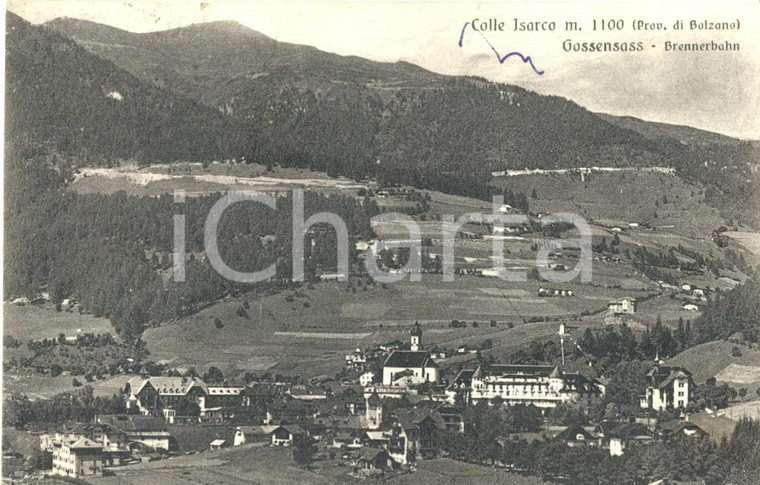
58 94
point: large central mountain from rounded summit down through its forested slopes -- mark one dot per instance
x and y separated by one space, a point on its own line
359 117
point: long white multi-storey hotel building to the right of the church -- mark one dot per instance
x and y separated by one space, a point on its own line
544 386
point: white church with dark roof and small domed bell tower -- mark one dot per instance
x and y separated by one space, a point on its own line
414 366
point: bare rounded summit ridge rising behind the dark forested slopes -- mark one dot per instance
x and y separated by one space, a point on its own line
213 61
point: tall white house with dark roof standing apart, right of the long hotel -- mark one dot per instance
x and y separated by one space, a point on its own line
667 387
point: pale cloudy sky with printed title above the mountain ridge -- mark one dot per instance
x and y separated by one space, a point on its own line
717 91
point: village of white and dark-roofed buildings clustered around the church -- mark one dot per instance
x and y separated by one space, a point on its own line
375 424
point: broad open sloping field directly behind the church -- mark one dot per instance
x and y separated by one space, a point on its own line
310 332
